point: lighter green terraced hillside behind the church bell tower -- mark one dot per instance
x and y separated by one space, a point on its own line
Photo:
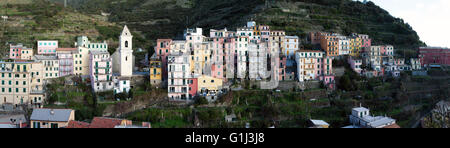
31 20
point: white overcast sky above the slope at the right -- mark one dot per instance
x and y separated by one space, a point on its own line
429 18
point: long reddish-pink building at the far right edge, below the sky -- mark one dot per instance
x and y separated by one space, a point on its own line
434 56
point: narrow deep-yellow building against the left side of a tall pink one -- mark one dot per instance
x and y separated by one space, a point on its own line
155 70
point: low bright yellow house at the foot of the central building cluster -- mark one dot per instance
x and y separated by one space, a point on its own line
209 85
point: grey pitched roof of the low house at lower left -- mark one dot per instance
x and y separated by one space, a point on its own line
59 115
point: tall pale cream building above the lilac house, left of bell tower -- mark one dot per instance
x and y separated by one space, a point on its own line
81 61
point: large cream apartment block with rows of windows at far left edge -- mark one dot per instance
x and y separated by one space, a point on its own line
21 83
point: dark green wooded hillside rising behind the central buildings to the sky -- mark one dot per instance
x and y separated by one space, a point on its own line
168 18
